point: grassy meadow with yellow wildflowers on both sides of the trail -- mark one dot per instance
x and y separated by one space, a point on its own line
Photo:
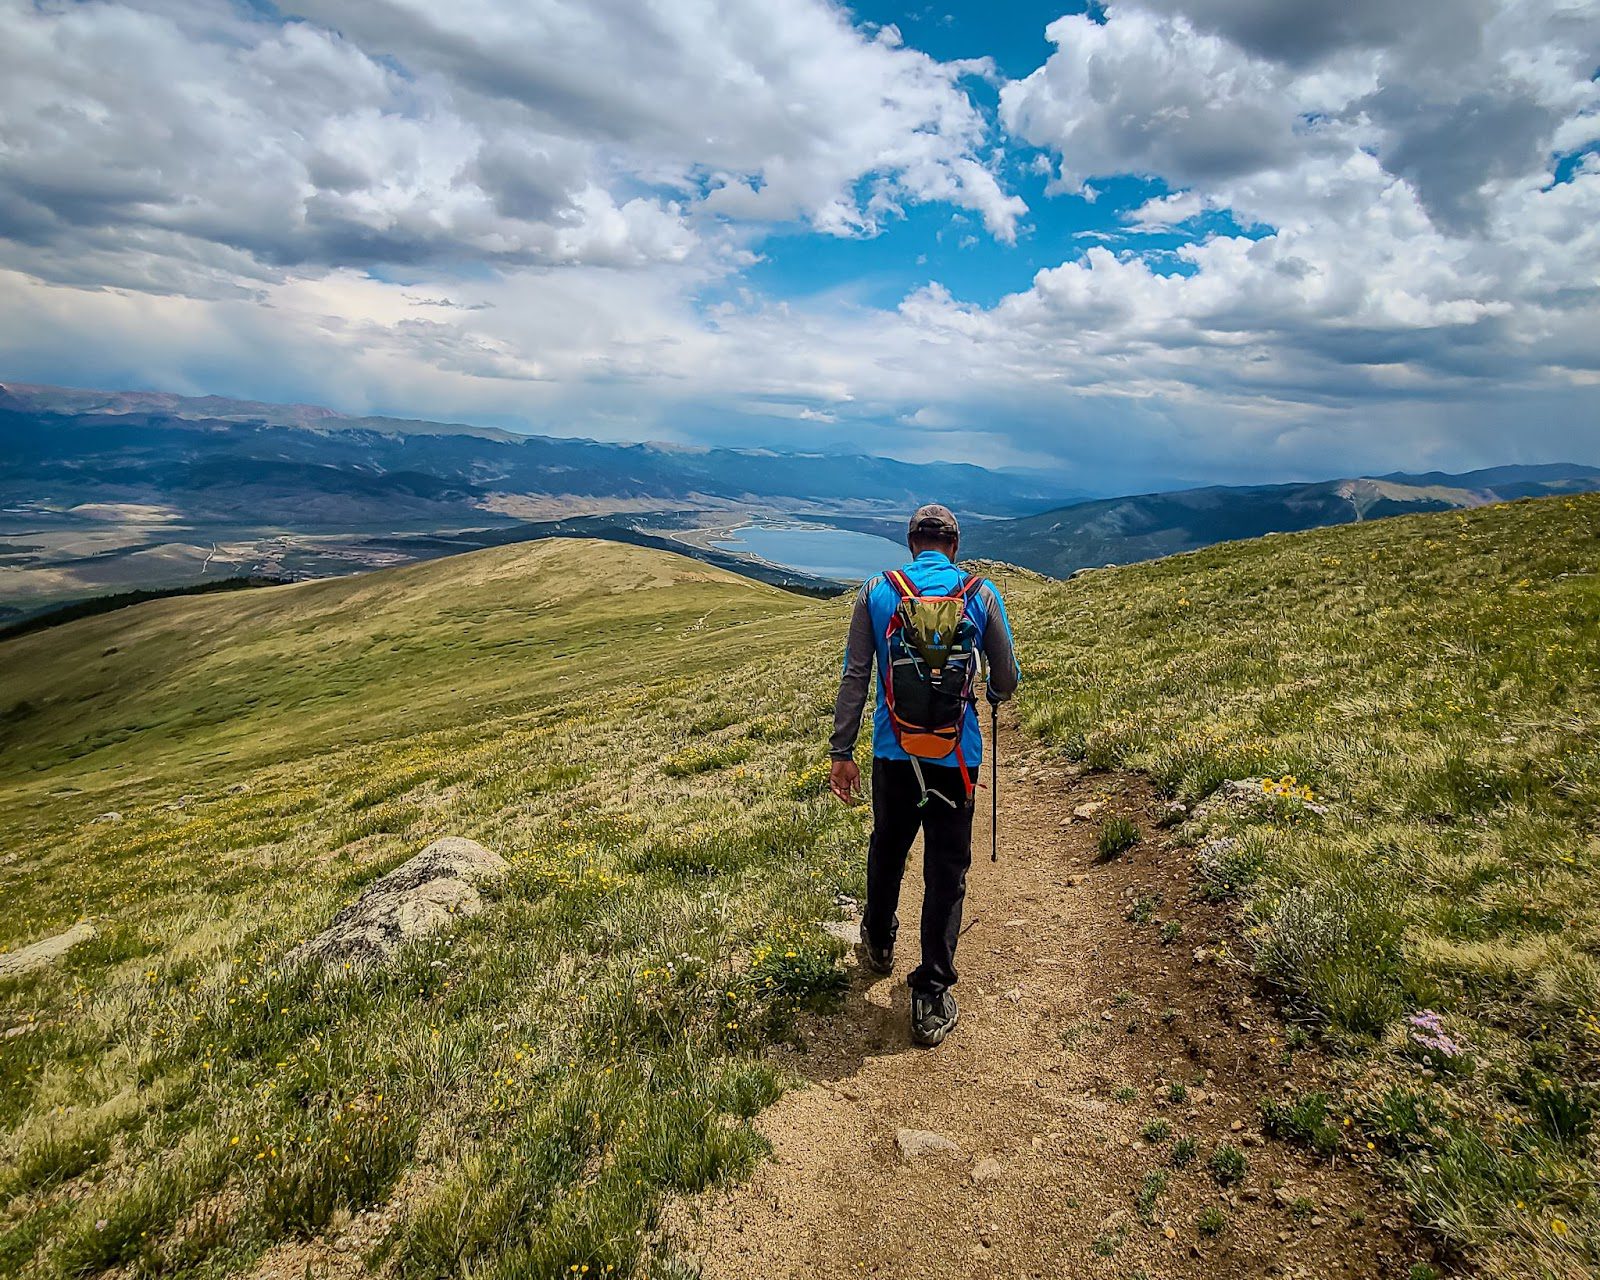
210 780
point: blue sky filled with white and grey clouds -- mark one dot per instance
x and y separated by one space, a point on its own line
1162 242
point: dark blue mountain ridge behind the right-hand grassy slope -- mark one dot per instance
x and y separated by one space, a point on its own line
1148 527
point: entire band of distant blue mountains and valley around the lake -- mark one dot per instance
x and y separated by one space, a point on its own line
122 492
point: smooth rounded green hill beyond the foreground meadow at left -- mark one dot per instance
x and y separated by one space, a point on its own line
284 671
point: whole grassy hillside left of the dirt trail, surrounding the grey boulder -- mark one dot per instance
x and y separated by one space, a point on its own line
638 734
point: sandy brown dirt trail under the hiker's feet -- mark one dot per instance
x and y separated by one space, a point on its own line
1076 1025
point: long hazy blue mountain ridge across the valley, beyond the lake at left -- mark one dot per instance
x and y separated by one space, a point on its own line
212 458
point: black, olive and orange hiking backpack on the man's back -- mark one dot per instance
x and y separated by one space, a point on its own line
934 663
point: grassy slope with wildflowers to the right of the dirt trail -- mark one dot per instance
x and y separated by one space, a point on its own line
1434 686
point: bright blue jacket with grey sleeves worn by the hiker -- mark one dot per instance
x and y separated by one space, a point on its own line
932 572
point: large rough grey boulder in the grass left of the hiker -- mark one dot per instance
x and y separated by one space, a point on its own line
422 897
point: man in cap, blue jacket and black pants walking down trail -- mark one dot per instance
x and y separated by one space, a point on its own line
926 625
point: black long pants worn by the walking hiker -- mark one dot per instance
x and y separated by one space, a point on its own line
948 854
